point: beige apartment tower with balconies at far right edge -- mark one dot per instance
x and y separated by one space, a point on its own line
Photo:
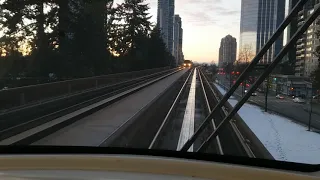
306 61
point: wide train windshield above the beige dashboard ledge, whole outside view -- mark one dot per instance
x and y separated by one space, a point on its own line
153 74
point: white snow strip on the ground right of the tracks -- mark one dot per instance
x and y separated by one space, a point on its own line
284 139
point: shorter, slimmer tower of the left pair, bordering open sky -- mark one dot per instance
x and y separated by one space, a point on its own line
177 38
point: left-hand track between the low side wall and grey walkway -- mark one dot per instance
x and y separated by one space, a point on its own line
31 130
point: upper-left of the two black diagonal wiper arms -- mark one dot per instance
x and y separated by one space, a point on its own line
255 61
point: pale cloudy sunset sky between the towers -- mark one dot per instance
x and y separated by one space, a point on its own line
204 23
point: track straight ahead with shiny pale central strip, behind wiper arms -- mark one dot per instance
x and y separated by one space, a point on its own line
230 142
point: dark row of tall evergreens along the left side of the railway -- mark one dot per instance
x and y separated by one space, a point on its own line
63 39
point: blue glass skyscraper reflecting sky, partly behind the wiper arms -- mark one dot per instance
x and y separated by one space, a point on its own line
259 20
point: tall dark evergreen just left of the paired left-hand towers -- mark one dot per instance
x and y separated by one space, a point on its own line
129 34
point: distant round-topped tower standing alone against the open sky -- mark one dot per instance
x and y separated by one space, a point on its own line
228 50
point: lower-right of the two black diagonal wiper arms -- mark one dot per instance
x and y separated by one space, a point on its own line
267 72
